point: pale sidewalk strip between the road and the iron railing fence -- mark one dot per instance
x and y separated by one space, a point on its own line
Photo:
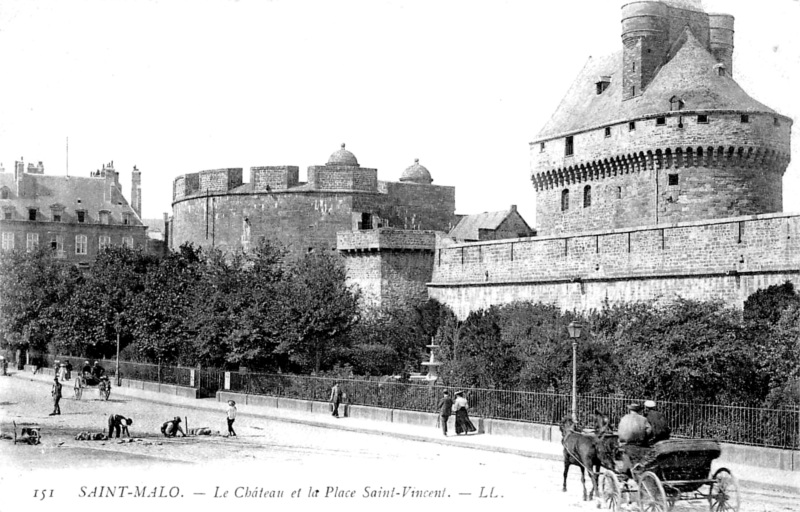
770 480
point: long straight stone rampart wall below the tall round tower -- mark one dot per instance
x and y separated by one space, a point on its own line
724 259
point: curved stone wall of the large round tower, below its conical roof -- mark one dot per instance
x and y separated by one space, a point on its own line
681 170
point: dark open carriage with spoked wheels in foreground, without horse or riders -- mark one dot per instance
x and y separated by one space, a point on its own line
671 471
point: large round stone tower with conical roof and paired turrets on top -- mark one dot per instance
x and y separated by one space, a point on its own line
659 132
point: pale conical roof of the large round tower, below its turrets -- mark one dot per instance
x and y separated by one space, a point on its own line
691 75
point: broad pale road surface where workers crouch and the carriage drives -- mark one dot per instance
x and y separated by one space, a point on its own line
357 471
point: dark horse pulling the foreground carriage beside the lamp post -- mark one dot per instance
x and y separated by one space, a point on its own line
585 451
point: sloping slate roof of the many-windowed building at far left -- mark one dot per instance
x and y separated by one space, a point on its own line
71 193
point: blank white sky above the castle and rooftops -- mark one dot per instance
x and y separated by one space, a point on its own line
181 86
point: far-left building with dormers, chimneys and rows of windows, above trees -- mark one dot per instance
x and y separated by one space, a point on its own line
75 216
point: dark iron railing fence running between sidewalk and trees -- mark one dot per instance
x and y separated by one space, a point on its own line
777 428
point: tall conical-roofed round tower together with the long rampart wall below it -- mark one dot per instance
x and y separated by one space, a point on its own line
656 177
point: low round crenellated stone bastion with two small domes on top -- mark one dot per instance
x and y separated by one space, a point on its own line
216 209
